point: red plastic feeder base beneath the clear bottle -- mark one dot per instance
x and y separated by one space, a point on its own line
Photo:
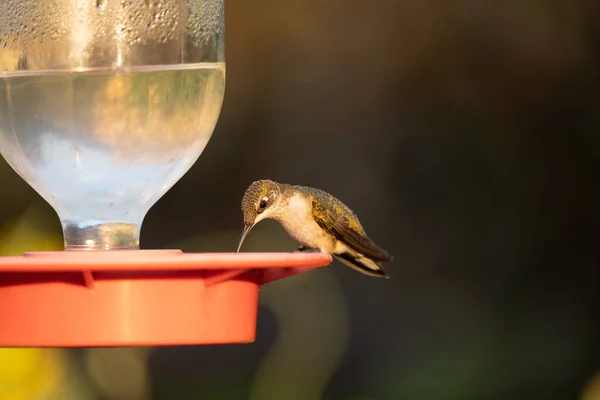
137 298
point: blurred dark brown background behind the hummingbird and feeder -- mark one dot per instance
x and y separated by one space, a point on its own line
465 134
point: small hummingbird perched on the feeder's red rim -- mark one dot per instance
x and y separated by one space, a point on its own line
317 221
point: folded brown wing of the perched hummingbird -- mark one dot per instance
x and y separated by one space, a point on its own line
339 226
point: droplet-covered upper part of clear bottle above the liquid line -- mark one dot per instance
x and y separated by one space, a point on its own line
56 34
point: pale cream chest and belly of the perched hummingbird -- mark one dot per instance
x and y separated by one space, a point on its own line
298 222
